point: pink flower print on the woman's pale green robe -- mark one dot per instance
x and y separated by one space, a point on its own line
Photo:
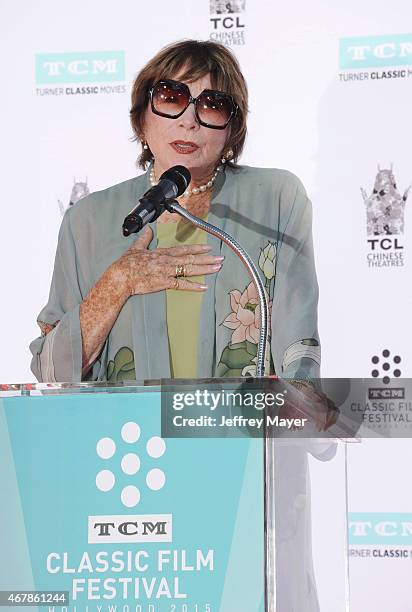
245 316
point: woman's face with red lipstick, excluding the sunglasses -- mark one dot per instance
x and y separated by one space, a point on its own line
183 141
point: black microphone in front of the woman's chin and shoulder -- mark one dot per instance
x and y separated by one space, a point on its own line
171 185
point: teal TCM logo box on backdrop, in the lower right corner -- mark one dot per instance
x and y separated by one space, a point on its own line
380 528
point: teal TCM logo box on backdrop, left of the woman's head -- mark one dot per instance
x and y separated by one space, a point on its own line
88 67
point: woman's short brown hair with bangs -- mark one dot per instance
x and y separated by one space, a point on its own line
197 58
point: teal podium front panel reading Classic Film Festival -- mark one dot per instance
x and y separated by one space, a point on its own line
96 503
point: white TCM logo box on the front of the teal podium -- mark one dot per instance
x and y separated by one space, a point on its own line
130 529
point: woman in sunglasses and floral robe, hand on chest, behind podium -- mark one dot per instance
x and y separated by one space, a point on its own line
119 308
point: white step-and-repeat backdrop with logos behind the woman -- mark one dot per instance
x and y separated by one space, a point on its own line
330 97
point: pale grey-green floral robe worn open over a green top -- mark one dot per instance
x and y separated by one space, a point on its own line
266 210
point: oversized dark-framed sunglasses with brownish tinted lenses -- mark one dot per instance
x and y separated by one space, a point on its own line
213 109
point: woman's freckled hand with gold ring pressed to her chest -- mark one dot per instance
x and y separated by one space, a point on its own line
141 271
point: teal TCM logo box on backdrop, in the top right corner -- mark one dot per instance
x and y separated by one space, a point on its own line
375 51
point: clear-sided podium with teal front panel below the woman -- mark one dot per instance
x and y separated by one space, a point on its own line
103 512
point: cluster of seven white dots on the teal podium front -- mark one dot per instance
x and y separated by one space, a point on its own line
130 463
